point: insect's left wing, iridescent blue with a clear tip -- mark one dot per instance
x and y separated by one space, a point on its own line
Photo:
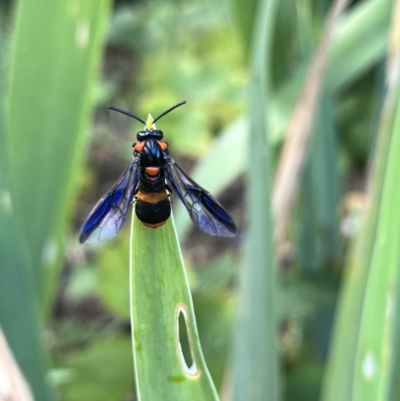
107 216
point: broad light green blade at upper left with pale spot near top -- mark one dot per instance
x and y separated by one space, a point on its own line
55 51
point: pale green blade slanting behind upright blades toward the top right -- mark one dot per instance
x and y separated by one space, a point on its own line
368 19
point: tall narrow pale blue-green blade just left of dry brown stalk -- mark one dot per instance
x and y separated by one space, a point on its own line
255 358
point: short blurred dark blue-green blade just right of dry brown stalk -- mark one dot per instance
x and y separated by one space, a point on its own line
318 240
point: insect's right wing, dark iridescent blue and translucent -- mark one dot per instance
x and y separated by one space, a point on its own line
205 212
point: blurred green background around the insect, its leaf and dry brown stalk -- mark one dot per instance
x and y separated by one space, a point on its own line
241 66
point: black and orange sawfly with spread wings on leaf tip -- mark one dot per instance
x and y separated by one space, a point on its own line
148 181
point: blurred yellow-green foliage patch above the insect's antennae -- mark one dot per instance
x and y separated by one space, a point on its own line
213 87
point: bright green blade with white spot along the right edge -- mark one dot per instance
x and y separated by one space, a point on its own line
373 360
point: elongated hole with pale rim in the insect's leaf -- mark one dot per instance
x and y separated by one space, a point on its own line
183 341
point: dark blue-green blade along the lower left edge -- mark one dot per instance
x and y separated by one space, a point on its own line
19 317
